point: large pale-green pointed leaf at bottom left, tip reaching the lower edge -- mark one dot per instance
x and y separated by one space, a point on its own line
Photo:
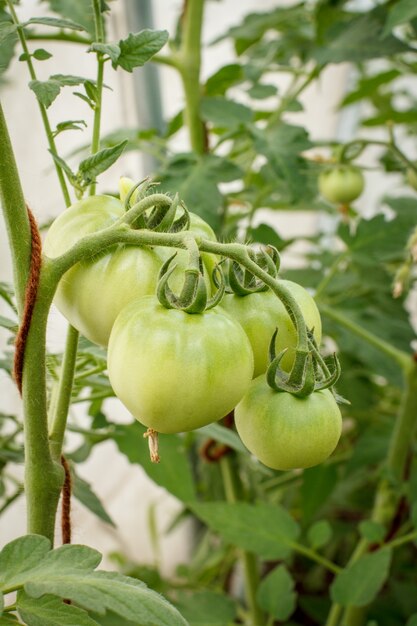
99 591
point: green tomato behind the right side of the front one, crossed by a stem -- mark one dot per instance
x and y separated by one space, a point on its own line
261 313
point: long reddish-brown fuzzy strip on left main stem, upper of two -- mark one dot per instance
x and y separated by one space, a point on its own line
30 298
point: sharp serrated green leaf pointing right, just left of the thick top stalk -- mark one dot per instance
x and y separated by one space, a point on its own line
138 48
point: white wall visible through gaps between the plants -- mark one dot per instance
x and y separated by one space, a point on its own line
124 489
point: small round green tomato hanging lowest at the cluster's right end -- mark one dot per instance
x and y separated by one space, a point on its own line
286 432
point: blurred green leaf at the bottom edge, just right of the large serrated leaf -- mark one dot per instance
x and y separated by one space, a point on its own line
206 608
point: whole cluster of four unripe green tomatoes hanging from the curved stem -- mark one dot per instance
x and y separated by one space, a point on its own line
177 371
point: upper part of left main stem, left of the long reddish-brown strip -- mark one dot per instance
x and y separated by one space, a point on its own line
15 214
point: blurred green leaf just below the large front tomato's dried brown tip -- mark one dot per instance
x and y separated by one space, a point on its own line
174 474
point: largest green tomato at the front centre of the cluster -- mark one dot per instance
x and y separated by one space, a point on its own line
176 371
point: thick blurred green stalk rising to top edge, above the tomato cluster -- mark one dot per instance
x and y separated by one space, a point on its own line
189 66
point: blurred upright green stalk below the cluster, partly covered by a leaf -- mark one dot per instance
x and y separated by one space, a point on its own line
249 561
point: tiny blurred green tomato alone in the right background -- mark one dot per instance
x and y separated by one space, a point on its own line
341 184
